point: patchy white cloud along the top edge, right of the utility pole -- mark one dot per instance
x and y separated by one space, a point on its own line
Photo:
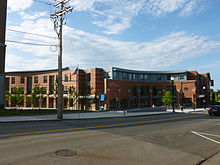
116 15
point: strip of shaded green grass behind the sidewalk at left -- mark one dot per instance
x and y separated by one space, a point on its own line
14 112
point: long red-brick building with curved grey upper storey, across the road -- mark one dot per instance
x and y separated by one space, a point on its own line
115 88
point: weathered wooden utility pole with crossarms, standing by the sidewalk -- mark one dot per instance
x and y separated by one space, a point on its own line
58 18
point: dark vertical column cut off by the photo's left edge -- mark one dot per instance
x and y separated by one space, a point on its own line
3 13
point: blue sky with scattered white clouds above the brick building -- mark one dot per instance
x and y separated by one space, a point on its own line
132 34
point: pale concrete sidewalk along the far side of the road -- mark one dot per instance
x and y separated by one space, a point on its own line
96 115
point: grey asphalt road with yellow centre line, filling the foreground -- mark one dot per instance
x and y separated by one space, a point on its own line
161 139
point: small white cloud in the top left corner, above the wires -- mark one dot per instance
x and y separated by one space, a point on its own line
19 5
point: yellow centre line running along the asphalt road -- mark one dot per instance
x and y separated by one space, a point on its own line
92 127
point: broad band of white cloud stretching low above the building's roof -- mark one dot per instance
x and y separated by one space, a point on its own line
91 50
